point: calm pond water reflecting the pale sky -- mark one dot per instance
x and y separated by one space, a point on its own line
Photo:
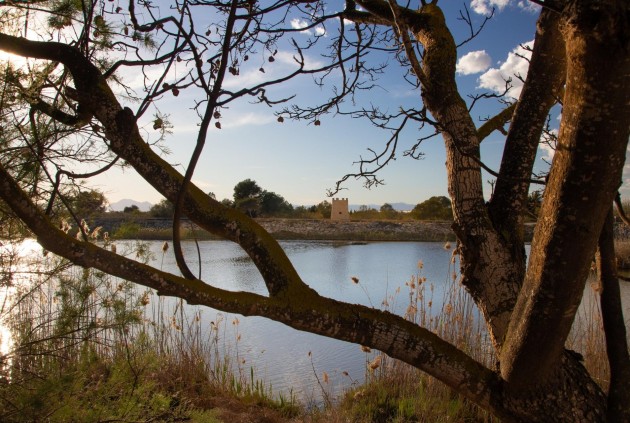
280 355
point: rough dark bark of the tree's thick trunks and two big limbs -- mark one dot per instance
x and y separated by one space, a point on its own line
538 380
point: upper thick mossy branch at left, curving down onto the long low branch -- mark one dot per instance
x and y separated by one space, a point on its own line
122 131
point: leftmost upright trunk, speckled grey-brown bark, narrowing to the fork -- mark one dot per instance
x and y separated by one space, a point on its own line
486 269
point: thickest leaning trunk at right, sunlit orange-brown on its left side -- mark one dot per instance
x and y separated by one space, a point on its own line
583 181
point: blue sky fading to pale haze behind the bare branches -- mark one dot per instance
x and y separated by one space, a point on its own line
301 161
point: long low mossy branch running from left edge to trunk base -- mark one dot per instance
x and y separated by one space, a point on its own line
307 311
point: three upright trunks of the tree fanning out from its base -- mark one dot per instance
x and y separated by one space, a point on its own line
558 388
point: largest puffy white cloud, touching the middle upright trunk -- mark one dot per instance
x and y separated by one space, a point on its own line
515 66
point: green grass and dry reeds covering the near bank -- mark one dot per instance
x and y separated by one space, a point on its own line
89 347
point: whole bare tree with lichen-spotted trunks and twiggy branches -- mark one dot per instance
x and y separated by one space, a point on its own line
581 55
